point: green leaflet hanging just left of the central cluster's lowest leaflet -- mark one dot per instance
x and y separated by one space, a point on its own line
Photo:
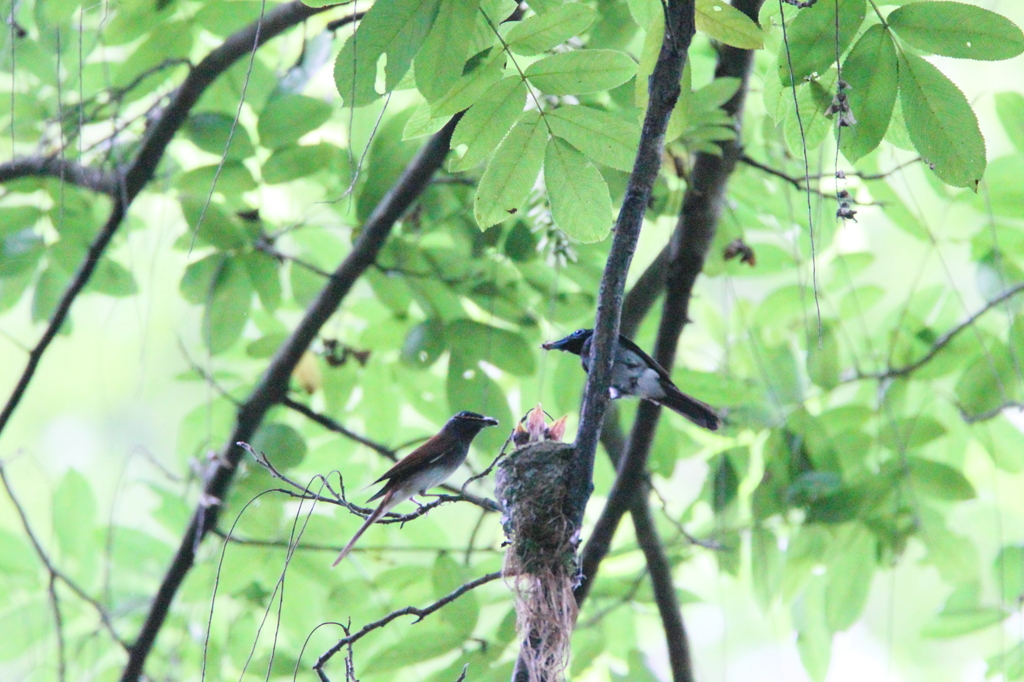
513 172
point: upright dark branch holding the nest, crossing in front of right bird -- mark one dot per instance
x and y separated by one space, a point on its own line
664 92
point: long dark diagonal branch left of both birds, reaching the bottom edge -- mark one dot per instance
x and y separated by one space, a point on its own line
273 387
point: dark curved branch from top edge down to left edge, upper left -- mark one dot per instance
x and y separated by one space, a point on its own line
142 168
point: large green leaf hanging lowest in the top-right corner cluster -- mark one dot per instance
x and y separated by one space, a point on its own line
942 123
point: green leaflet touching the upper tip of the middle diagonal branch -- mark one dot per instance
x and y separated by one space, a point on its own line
487 122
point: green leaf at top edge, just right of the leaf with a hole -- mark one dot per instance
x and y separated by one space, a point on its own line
439 66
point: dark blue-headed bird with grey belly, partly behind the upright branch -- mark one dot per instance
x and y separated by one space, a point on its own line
636 373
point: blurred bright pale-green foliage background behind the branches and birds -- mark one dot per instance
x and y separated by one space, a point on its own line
116 424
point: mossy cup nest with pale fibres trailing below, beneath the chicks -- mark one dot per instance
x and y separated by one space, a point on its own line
541 564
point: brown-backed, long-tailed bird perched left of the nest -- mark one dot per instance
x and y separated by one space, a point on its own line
425 467
